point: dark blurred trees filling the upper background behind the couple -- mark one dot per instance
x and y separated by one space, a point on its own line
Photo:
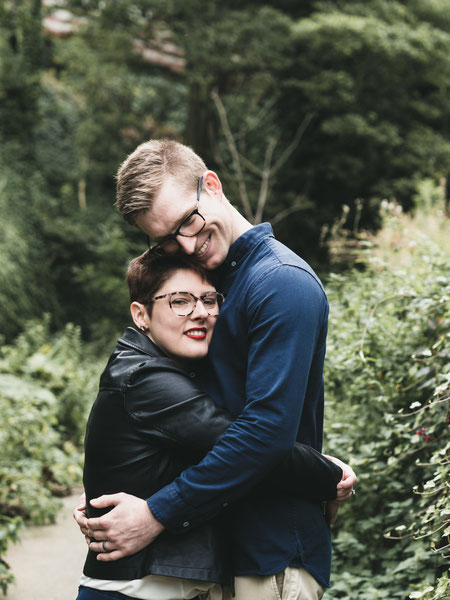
300 110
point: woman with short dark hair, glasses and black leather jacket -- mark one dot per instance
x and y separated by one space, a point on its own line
150 421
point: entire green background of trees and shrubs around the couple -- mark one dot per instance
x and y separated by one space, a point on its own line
317 116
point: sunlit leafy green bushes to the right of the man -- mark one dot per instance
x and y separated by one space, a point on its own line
388 373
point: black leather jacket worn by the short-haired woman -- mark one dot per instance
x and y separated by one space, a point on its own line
148 423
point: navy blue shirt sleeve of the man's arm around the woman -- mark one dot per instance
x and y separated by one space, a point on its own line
287 313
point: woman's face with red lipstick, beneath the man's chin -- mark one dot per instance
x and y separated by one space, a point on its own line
181 337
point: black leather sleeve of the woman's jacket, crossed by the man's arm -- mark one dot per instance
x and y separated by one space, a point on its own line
167 407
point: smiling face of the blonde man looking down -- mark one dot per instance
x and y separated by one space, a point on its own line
173 204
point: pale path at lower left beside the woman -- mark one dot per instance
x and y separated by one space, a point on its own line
47 562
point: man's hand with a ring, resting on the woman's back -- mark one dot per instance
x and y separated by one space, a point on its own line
126 529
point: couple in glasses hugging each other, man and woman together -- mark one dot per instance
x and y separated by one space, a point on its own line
203 472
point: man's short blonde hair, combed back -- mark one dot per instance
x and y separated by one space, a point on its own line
142 174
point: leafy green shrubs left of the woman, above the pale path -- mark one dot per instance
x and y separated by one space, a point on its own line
46 385
